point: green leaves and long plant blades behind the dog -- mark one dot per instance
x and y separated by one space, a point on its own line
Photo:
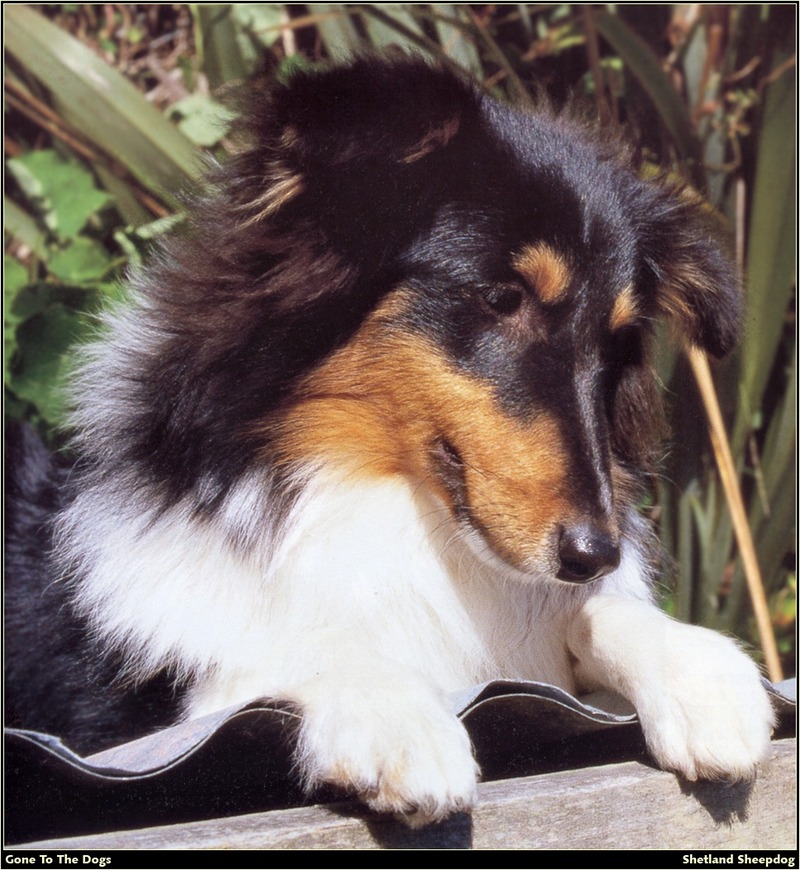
109 108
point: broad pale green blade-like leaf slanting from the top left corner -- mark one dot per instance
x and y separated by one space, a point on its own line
101 103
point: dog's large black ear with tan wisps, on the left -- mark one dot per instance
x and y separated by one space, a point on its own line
354 151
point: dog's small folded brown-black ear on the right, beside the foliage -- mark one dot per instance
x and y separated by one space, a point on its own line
697 283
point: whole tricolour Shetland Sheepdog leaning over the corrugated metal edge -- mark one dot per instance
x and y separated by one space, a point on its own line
374 428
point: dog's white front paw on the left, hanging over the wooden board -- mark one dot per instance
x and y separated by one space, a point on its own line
402 752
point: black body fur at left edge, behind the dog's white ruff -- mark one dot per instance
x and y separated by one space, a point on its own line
56 680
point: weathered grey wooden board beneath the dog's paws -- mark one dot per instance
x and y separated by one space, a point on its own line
620 806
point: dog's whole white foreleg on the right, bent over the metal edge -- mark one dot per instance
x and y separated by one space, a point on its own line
703 709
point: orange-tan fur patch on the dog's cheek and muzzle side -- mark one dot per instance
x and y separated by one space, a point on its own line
376 408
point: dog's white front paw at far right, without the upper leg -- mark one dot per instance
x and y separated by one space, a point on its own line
710 716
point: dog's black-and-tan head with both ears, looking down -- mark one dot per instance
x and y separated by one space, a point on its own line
466 293
